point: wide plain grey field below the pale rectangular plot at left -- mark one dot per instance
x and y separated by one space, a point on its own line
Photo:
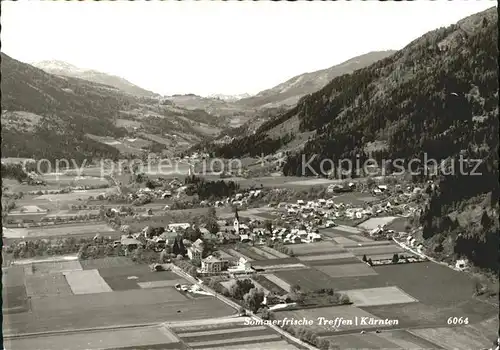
108 309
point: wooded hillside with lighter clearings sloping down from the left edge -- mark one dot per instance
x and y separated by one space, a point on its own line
45 116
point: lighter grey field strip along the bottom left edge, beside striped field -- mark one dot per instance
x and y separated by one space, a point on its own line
106 339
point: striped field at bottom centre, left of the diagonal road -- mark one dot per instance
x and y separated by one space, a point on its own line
234 335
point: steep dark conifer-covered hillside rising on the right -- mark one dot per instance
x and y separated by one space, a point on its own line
439 97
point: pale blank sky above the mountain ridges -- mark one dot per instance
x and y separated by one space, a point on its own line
216 47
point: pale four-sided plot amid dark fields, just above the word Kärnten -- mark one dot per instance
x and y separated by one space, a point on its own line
378 296
